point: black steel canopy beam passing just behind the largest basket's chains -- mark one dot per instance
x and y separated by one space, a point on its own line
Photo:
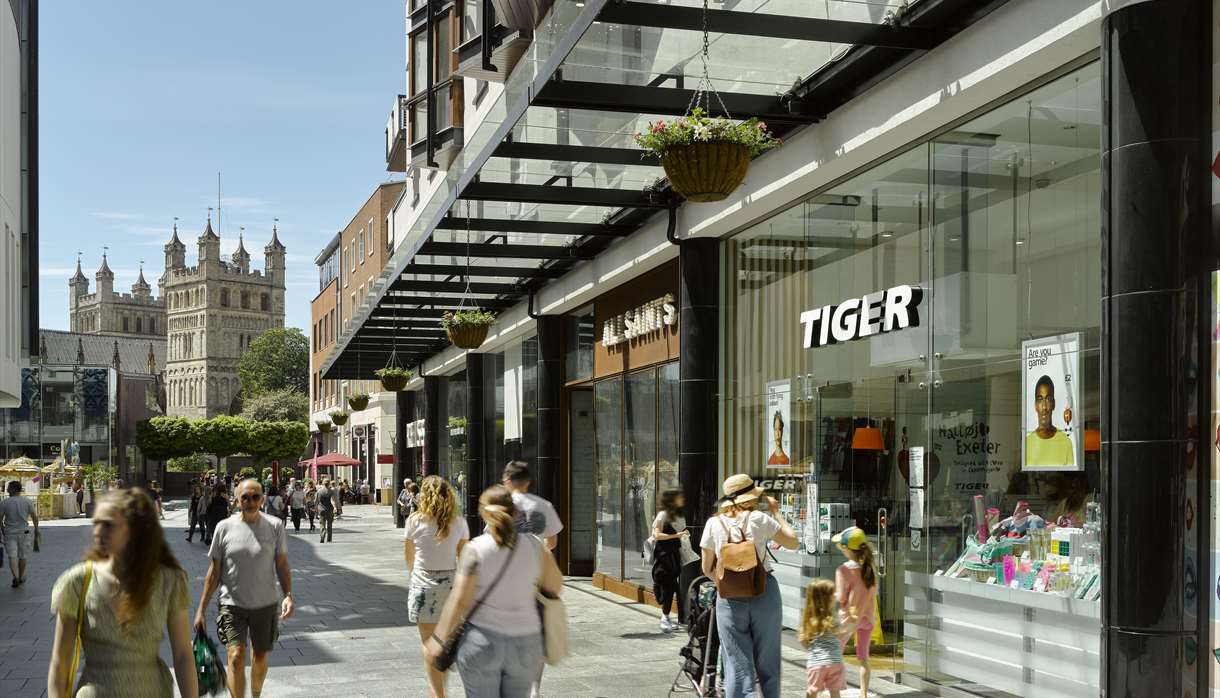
670 102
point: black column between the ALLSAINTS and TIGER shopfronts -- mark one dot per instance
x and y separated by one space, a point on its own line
698 375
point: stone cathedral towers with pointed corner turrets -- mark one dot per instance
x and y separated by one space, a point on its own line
209 313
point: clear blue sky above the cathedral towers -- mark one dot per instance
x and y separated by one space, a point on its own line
143 102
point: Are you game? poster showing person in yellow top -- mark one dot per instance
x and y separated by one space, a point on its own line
1051 405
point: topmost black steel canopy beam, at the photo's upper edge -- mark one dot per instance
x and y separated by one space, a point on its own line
772 26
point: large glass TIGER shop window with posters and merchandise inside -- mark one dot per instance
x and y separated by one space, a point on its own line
920 435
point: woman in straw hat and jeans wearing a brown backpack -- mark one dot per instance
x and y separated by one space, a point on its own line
750 613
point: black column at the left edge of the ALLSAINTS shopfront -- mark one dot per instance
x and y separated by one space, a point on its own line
551 385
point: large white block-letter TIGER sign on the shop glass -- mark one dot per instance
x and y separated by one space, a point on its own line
858 318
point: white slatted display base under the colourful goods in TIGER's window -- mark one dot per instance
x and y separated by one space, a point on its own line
1023 642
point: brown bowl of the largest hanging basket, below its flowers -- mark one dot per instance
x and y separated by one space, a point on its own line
707 171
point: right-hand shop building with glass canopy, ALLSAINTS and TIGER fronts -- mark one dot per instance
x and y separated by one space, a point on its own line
1029 186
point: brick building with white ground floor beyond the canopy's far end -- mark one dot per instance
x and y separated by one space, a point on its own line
348 268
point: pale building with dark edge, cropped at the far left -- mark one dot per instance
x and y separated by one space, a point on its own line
19 195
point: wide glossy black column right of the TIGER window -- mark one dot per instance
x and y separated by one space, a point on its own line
1156 63
